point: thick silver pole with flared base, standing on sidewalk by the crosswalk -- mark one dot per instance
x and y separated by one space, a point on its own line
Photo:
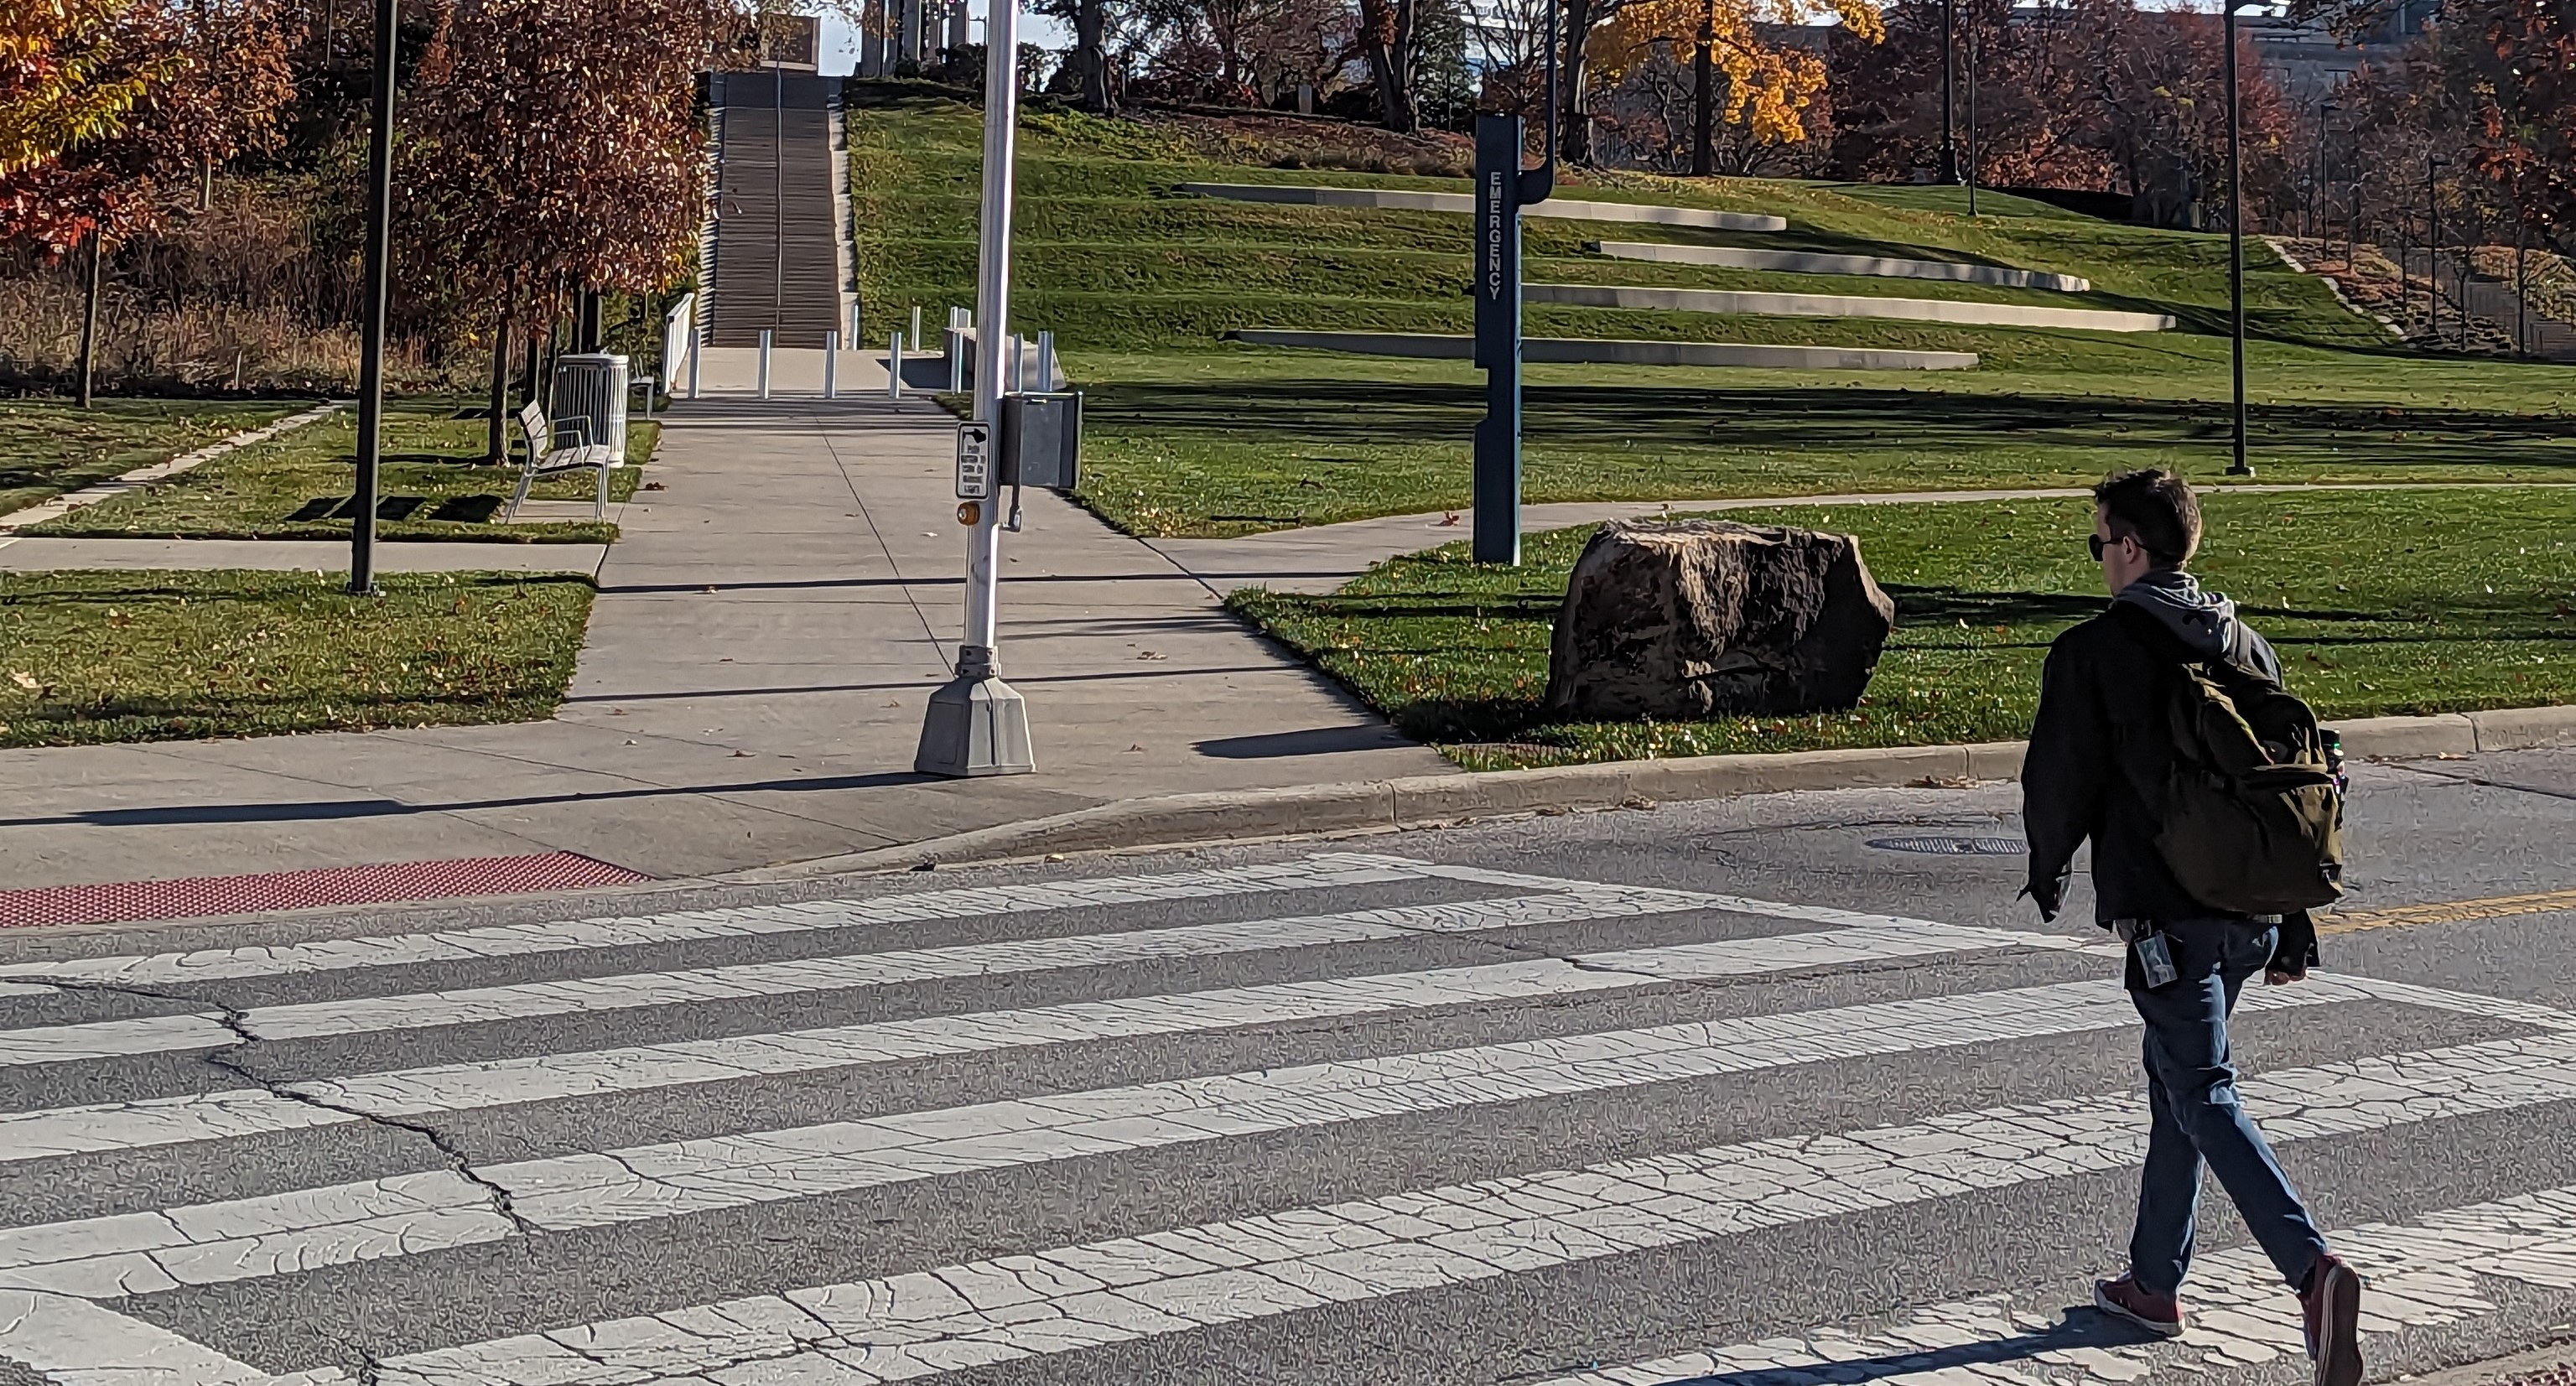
978 725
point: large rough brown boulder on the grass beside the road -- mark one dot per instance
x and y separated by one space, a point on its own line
1683 620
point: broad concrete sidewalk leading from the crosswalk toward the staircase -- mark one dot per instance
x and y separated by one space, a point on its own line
766 638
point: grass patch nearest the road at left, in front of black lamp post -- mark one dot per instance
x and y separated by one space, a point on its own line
164 656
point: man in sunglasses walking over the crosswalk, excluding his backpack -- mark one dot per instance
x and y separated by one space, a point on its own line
2098 764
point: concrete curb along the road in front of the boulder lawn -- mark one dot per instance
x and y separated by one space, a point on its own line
1562 790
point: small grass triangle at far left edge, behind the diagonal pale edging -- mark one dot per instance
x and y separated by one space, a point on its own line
50 447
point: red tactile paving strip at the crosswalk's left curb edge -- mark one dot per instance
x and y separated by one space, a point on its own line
303 890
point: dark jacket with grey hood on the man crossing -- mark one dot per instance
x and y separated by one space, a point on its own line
2101 748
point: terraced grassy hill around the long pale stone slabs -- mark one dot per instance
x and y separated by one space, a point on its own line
1199 437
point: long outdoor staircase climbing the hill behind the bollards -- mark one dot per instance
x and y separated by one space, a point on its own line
777 233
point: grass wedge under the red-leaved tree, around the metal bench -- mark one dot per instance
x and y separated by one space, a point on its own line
431 486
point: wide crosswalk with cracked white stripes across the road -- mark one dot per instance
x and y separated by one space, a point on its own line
1346 1117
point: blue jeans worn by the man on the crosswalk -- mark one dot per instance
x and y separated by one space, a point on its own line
2191 1091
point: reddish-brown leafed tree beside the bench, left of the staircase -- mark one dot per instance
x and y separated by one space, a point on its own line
555 151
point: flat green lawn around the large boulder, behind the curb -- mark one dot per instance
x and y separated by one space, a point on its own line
2379 604
